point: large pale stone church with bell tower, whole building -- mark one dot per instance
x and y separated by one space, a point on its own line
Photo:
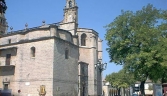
52 59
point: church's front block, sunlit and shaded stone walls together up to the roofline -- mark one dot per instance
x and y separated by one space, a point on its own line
49 66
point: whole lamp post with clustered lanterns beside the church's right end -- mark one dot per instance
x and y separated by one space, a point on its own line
101 67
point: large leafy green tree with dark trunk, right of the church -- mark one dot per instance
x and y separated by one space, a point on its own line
138 41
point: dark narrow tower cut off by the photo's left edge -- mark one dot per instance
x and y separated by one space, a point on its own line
3 23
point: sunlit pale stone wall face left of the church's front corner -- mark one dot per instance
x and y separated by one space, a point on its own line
36 70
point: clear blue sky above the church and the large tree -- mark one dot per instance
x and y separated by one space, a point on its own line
93 14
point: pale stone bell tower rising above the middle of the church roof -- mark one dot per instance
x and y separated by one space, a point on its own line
70 21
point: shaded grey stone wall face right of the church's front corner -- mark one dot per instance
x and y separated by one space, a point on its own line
65 70
